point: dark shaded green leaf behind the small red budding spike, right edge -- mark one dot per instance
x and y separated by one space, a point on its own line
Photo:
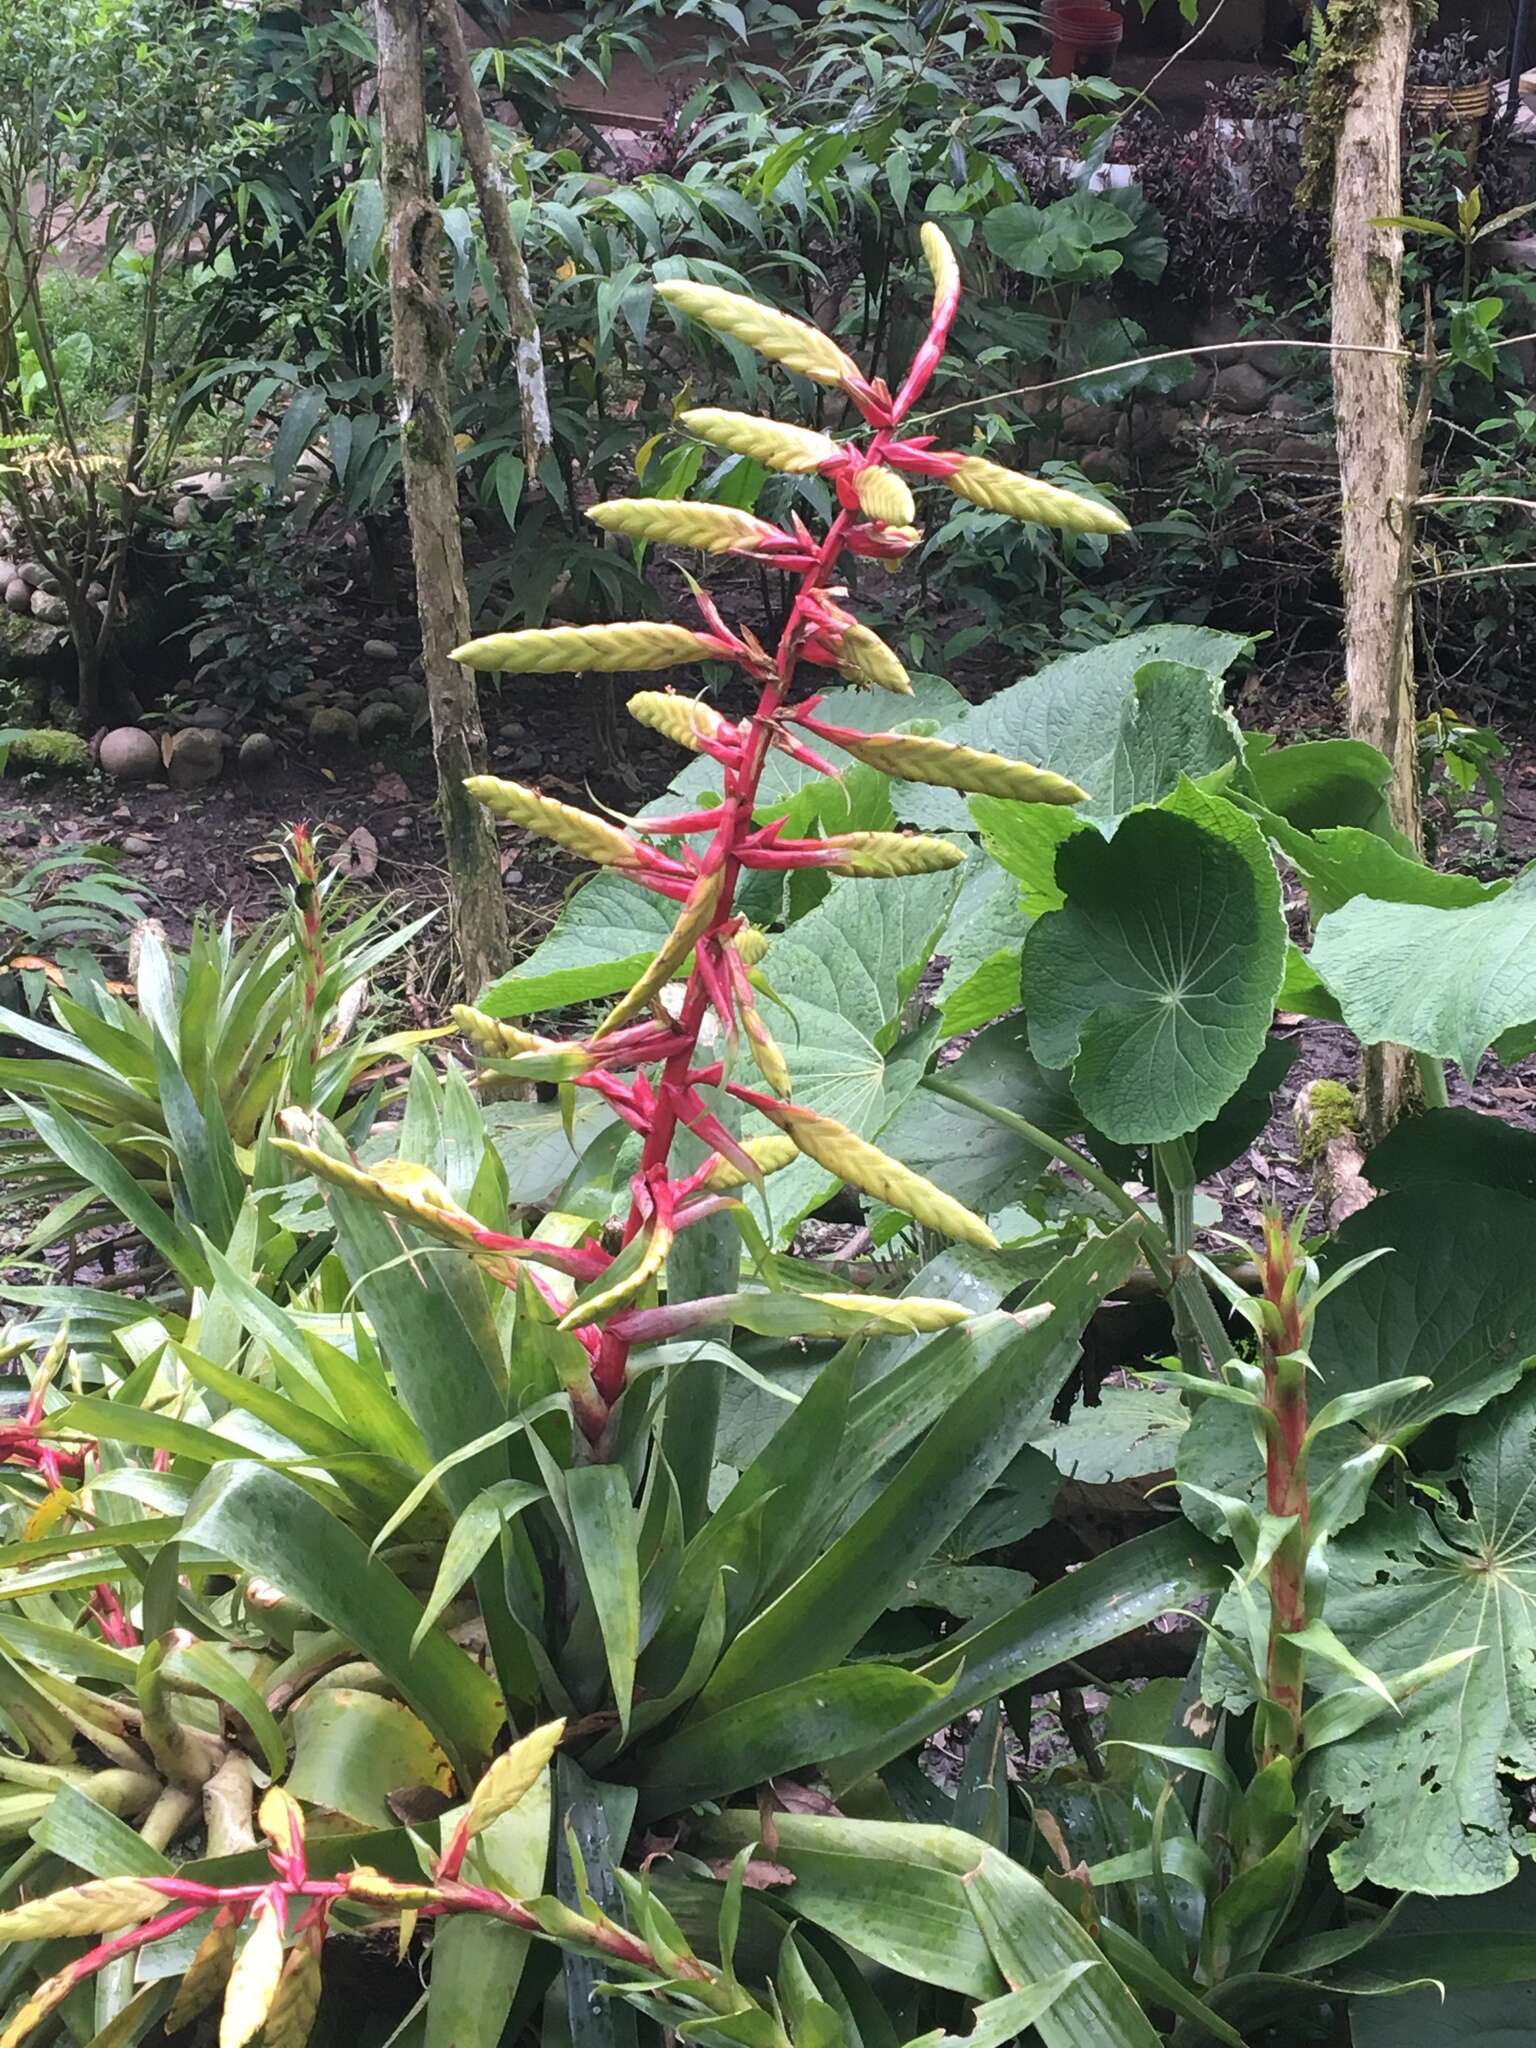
1453 1302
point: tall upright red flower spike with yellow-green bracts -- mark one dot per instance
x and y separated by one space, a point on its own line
646 1058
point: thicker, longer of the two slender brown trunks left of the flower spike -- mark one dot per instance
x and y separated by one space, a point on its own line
421 364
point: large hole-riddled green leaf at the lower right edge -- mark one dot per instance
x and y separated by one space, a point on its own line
1406 1588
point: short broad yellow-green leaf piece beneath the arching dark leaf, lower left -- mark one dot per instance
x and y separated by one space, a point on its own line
351 1750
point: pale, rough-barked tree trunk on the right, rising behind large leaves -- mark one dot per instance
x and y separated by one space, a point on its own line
1377 441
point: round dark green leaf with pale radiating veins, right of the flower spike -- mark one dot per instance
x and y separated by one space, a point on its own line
1156 982
